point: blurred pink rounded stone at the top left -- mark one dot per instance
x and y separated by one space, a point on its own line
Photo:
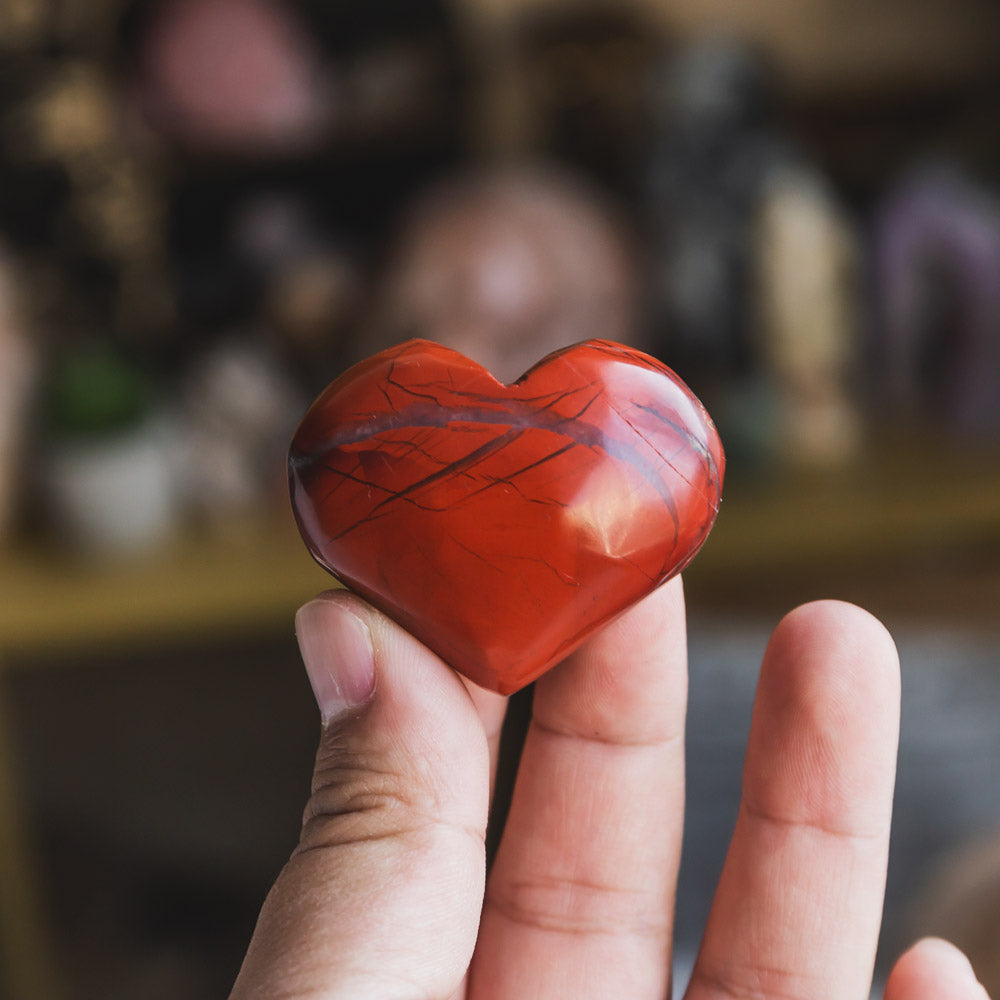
240 75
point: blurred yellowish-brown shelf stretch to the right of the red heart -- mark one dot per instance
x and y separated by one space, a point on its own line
911 533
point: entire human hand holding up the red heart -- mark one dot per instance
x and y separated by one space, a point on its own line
384 896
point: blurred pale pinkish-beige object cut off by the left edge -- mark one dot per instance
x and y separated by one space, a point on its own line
18 366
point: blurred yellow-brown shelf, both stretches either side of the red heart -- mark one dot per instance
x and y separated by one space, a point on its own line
894 530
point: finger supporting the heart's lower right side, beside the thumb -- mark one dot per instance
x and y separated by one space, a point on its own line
580 900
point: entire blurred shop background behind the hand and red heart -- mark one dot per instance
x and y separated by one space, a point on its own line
208 208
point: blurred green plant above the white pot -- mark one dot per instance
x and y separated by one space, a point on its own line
96 392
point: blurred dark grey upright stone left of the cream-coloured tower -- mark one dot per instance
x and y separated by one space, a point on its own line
712 153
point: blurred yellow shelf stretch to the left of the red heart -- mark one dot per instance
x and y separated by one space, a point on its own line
252 575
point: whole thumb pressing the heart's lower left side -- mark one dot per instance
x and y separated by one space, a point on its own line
382 896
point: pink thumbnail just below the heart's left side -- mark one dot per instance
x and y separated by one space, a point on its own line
336 648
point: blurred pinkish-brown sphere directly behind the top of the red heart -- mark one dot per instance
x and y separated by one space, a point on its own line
506 266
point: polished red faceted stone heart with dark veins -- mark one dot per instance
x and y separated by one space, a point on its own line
502 524
